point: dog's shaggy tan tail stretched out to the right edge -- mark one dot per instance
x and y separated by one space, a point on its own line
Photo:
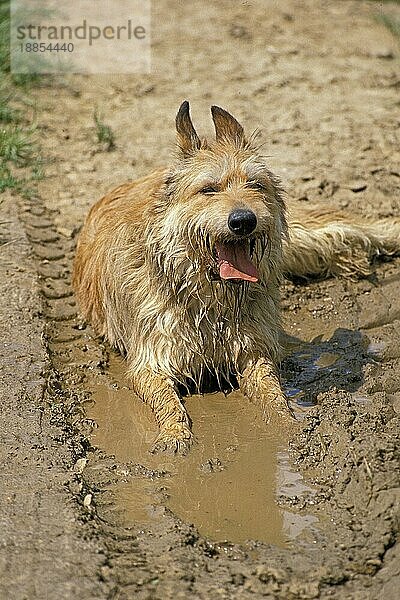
325 243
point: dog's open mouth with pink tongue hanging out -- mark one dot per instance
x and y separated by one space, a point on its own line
234 262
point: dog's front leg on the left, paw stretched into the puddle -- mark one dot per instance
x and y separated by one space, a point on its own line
174 423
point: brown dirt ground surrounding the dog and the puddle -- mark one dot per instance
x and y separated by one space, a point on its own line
320 79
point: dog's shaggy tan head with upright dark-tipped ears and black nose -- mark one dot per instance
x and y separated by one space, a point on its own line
225 206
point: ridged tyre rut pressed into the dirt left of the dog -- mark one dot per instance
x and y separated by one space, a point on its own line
72 350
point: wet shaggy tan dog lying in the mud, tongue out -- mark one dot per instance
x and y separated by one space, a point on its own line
180 271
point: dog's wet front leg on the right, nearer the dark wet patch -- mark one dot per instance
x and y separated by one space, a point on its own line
260 383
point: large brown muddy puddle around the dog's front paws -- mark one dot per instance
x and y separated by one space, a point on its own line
228 484
